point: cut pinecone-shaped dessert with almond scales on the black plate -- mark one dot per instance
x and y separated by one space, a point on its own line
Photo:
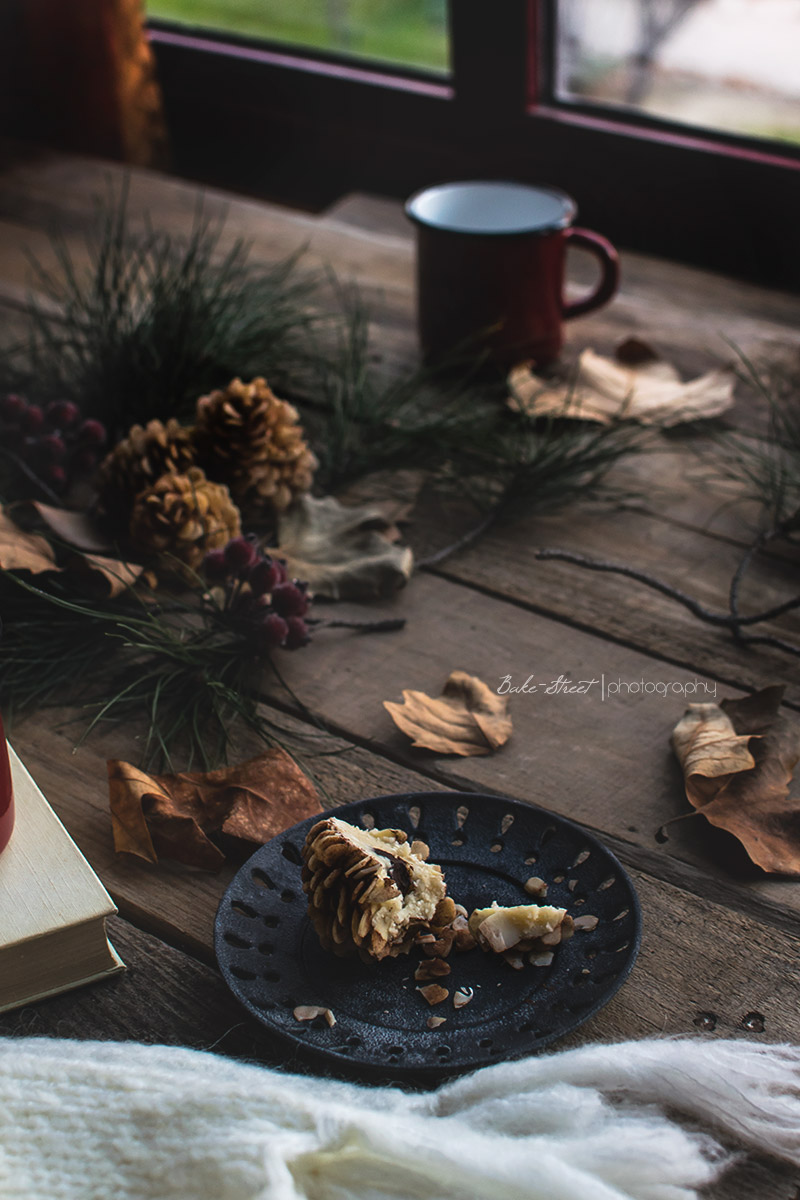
370 892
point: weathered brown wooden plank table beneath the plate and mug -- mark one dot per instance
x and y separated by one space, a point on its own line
721 943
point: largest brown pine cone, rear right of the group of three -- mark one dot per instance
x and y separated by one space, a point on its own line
254 442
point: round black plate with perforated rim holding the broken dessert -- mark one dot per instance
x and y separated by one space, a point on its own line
488 847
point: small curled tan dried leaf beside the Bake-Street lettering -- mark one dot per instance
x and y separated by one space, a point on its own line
468 719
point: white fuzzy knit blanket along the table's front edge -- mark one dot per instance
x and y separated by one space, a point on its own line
118 1121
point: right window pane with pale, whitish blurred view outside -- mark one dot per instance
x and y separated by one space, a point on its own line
730 65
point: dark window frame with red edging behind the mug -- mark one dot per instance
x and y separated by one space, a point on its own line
335 125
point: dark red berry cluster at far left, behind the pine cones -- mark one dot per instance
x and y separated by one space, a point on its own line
53 443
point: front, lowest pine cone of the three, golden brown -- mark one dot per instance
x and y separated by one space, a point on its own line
184 517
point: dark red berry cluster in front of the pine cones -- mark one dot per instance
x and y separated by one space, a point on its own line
260 596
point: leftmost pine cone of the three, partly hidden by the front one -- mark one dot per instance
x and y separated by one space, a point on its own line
136 464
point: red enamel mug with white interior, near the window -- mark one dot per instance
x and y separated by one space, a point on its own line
490 269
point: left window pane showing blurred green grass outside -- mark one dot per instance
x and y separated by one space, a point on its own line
410 33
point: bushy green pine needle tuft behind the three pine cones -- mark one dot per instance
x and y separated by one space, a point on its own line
137 325
